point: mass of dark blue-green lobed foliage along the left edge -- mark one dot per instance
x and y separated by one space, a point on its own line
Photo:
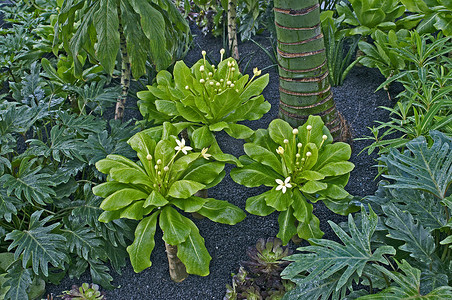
48 214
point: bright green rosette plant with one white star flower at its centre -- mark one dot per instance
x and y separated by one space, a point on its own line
301 165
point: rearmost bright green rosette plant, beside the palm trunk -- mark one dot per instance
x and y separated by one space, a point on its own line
211 98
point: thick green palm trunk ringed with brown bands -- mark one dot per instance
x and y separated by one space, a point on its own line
303 70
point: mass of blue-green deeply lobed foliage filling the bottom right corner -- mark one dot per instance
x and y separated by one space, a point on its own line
404 245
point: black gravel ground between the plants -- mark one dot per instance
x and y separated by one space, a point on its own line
226 244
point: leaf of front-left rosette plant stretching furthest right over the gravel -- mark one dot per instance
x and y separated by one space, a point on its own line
222 212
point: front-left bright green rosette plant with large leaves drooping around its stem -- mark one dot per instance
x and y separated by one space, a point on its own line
167 175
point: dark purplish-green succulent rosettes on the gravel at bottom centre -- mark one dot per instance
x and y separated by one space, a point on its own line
259 278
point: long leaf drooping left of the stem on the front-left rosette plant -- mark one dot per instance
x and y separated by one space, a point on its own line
141 248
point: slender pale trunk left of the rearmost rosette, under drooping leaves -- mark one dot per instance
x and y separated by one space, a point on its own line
125 73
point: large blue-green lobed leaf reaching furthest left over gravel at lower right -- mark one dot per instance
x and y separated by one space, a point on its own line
329 258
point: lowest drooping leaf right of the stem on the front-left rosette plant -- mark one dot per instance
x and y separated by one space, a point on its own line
193 252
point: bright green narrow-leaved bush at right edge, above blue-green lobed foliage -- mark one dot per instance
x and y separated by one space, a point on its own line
424 105
